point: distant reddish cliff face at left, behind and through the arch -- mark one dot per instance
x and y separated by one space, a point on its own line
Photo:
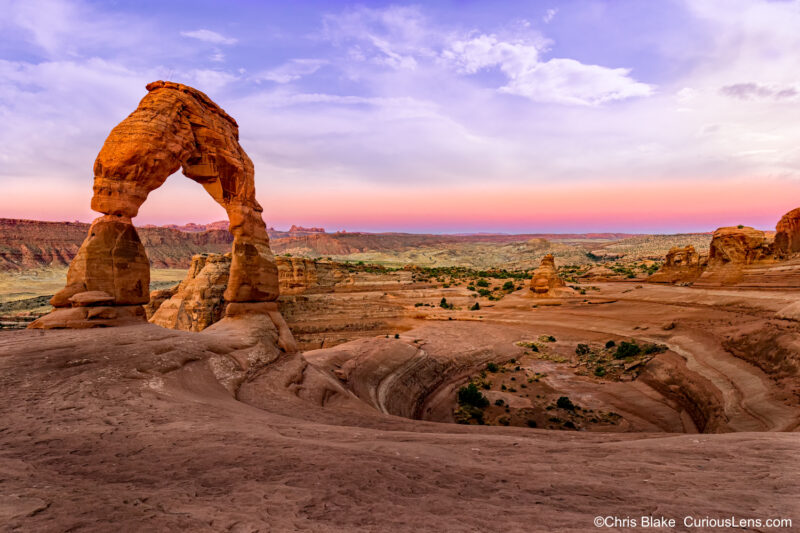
26 244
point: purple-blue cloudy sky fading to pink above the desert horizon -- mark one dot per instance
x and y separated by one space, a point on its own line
453 116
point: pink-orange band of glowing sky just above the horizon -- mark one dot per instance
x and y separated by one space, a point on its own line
675 206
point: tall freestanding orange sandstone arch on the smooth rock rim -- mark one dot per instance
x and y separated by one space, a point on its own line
174 127
